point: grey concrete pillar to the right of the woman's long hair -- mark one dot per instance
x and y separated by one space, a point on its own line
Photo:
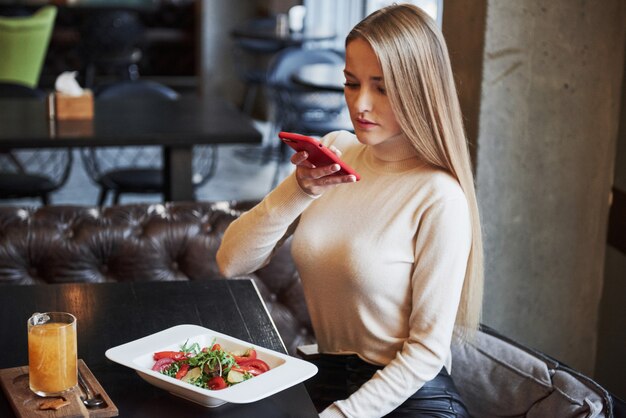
548 125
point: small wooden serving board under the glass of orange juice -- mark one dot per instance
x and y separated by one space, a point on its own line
26 404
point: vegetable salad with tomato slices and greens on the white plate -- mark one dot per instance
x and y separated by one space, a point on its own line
209 368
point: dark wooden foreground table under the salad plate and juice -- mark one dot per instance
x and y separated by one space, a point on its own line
110 314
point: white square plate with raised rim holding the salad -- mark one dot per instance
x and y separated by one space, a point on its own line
285 371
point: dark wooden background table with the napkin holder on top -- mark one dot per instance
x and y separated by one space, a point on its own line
174 125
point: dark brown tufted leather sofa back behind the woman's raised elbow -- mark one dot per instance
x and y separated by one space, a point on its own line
175 241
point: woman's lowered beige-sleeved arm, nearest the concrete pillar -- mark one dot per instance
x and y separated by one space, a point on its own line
441 255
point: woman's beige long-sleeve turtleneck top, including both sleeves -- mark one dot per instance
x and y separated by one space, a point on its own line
382 263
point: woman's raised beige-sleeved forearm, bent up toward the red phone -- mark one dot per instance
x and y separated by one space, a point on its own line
249 241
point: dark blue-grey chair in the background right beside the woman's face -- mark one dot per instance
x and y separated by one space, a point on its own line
301 109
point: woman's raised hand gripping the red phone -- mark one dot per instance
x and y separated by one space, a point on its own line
315 181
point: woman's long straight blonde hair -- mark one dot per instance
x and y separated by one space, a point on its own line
418 78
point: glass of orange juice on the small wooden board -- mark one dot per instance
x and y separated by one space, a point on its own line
52 353
